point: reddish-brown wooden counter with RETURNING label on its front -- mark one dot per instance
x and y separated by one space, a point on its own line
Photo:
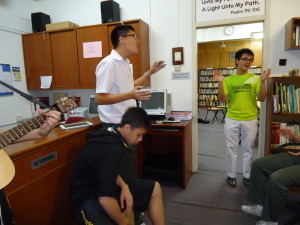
39 191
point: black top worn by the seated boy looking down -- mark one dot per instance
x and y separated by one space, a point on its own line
97 167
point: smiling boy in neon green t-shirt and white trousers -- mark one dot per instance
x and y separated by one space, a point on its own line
240 90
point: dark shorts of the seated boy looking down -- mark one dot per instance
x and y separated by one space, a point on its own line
91 211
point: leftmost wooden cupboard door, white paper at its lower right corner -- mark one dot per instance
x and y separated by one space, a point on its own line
37 57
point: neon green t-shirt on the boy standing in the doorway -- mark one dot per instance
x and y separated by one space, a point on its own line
242 90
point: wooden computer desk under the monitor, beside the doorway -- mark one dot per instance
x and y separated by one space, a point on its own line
168 138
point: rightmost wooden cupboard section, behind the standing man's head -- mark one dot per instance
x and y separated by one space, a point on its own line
140 62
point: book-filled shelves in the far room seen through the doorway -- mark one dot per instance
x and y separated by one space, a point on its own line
208 85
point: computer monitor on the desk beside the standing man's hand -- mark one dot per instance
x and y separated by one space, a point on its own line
158 104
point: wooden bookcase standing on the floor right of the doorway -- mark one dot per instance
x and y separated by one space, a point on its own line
283 109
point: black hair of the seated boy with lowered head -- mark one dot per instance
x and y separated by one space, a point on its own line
136 118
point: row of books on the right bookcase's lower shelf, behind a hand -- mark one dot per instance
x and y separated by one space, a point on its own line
279 139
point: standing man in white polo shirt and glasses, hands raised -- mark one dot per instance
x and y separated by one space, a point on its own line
116 90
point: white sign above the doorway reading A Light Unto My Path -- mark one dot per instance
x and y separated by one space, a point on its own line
209 10
